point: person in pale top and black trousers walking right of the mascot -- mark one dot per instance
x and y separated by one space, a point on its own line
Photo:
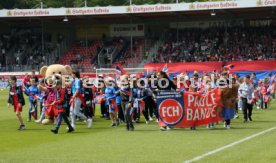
246 91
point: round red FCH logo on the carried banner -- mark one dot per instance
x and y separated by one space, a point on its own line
171 112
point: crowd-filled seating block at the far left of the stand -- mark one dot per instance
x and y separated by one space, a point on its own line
21 49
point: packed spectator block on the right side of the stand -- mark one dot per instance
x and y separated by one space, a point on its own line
219 44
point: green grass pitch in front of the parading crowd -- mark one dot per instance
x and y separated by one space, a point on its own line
147 143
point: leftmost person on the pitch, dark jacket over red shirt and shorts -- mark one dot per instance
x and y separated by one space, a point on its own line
16 98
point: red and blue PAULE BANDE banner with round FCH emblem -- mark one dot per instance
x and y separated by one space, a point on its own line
188 109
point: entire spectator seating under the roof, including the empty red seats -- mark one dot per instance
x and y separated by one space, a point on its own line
23 49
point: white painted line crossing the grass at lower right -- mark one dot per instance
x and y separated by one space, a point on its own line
229 145
